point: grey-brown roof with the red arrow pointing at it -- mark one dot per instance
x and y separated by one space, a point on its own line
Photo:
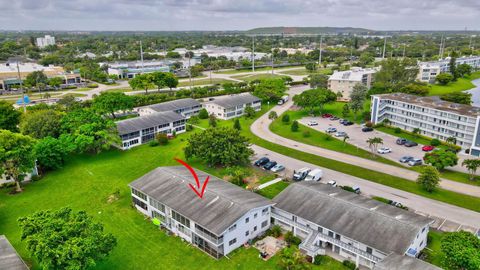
222 205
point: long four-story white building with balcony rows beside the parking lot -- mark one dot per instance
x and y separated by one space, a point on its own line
434 117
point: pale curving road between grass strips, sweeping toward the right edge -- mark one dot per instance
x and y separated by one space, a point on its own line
260 129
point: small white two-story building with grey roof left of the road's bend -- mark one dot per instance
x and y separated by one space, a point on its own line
231 106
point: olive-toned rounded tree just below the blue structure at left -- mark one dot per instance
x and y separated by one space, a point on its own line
41 123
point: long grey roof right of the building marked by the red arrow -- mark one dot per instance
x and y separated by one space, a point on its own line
376 224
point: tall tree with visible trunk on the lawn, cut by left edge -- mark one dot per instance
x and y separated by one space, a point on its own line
17 158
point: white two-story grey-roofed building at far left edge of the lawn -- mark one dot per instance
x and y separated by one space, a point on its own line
140 130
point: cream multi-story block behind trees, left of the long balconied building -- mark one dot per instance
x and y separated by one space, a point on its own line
344 81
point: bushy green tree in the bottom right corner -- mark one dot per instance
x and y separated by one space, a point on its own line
462 250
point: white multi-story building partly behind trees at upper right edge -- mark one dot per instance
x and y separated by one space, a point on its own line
428 71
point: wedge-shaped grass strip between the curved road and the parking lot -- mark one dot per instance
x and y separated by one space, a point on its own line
321 139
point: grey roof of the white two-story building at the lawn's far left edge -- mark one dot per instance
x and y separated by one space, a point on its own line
138 123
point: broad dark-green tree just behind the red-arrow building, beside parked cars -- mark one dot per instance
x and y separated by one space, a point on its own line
219 146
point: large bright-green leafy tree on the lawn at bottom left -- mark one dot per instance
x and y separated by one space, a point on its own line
65 239
